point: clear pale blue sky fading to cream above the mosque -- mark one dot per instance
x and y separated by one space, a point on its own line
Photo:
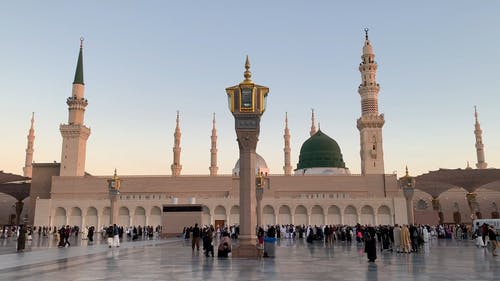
144 60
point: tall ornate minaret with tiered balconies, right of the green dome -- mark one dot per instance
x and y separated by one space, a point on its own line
370 124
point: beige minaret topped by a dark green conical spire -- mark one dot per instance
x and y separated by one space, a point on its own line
75 133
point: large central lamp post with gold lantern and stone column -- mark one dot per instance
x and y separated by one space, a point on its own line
247 103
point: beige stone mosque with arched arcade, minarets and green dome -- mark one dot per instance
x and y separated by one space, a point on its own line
319 190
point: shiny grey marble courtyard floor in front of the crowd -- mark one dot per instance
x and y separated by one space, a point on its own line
172 259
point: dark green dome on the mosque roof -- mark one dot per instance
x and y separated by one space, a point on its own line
320 151
